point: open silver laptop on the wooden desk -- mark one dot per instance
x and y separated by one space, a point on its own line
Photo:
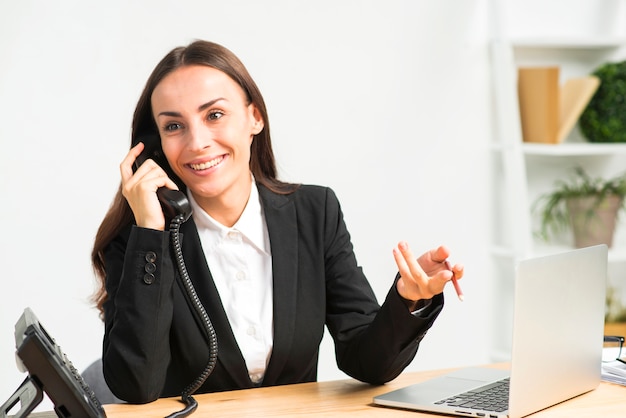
558 327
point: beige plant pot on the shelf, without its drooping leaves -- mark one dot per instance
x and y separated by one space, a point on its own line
593 222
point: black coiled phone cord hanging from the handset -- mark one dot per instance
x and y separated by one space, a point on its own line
192 404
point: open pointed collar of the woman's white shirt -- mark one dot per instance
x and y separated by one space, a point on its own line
251 223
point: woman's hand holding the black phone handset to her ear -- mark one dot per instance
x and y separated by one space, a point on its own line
139 189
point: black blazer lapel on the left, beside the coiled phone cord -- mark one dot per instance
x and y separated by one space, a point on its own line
229 354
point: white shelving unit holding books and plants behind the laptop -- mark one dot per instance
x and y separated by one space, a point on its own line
522 170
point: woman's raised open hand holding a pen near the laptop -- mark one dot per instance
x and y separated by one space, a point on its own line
426 276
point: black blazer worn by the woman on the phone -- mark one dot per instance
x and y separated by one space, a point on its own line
155 346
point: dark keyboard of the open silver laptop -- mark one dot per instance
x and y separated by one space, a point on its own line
492 397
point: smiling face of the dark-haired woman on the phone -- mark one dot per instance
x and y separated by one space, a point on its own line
206 128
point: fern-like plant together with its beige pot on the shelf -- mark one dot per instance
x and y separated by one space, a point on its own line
589 206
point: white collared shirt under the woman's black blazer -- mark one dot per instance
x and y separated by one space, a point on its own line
240 261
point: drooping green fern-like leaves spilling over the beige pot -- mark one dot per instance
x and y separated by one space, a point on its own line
552 206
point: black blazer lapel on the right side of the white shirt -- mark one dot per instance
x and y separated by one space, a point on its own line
280 215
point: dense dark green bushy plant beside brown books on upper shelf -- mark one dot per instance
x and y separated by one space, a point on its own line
604 118
